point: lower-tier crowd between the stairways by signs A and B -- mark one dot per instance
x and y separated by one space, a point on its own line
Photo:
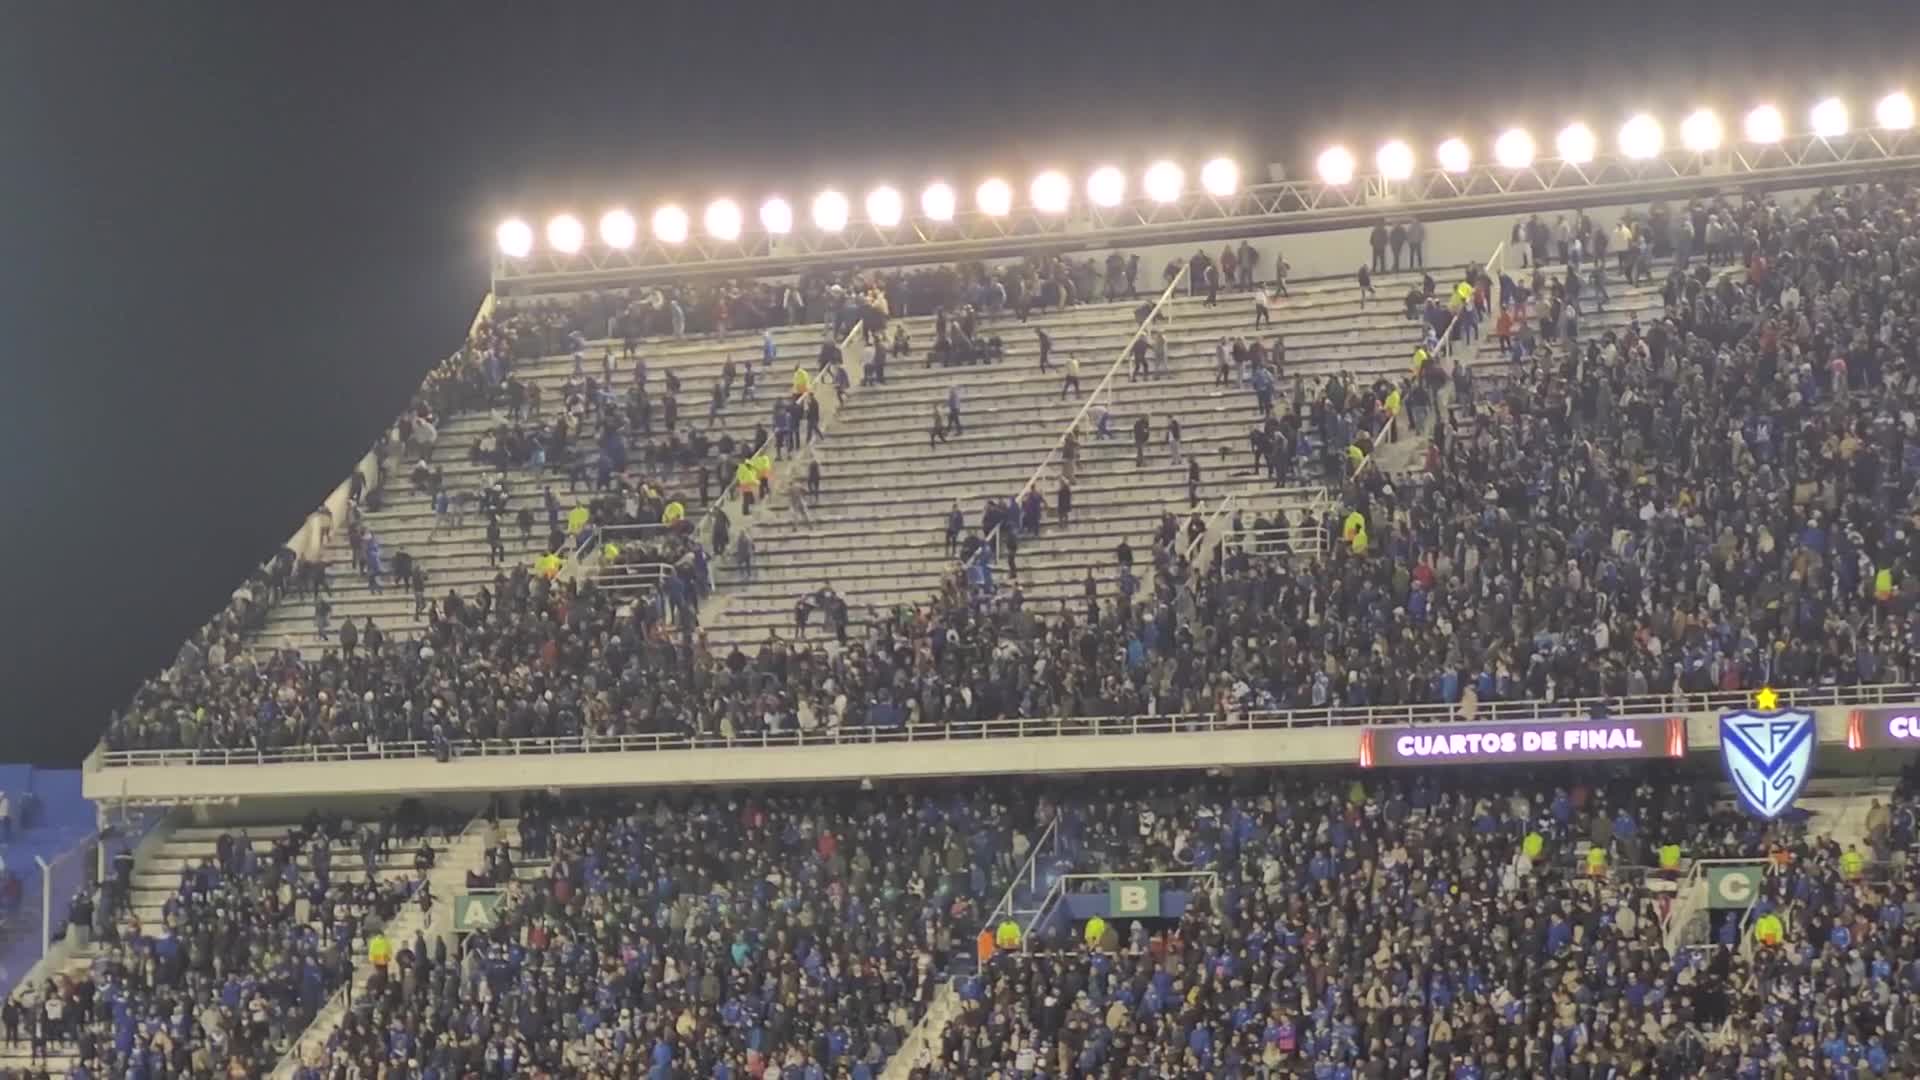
731 937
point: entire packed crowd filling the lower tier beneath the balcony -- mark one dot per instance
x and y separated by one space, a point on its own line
1424 923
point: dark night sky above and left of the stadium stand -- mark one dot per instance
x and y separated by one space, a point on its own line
235 237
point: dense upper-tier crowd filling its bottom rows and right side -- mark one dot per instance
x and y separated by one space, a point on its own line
1675 508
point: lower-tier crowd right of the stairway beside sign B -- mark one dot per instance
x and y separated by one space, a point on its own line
1452 929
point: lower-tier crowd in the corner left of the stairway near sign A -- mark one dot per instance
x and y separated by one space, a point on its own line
243 956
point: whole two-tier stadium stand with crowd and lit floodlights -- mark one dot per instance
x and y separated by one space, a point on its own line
1241 631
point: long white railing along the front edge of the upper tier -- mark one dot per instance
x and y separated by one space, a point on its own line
1020 727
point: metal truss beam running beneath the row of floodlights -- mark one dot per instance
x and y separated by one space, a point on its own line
1197 216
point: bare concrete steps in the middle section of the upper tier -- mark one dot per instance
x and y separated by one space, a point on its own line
876 533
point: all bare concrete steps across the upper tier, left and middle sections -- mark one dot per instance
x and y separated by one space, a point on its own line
876 481
